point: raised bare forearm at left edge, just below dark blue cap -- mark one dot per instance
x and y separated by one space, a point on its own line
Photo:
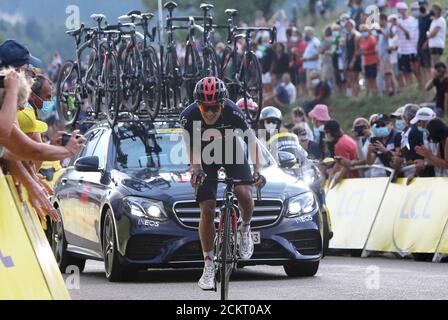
9 108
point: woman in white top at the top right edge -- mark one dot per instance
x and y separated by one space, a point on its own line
436 34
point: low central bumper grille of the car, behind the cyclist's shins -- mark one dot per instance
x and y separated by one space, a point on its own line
268 249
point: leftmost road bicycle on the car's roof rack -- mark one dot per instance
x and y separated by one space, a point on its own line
96 88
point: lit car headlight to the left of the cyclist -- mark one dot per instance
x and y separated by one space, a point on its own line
145 208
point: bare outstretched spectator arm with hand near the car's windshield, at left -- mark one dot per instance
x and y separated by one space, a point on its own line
24 148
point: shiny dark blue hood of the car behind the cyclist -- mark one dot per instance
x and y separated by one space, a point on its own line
175 186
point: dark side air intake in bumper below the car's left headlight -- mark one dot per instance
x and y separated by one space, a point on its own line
146 247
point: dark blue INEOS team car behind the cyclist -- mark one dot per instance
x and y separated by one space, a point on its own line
126 199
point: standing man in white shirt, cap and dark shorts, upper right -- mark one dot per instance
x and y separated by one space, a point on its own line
406 28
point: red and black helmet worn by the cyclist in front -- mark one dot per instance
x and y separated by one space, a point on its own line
210 90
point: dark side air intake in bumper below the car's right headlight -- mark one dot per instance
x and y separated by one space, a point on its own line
307 242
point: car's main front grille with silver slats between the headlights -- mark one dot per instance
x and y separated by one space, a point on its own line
266 213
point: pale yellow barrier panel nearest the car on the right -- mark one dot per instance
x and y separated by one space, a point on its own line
353 204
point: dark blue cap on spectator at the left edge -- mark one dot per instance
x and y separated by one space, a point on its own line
15 54
